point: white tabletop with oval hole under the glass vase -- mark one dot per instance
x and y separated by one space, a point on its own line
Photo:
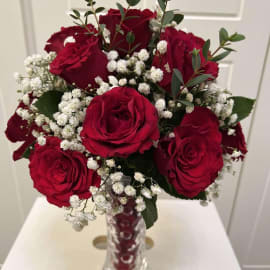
187 236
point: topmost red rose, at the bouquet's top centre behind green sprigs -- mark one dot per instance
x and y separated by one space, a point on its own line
139 25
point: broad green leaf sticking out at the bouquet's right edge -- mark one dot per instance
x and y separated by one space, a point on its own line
242 107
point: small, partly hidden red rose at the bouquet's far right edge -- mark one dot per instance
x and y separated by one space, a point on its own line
234 142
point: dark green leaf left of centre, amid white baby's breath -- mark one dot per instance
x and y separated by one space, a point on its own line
47 104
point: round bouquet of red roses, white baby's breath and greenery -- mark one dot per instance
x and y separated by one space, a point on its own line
131 96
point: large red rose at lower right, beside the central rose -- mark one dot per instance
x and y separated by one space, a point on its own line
191 161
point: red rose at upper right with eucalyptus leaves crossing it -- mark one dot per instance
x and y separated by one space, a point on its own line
179 46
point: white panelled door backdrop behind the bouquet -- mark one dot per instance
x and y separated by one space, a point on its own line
25 26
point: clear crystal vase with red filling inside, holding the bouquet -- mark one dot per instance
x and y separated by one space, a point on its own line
125 239
